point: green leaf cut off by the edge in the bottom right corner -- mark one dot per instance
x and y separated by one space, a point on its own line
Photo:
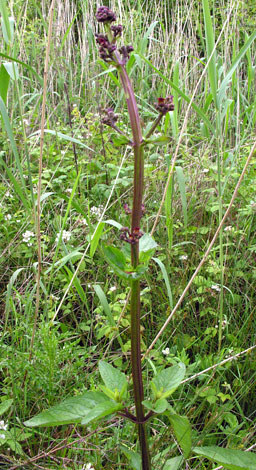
229 458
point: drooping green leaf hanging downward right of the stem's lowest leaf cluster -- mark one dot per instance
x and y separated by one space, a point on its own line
182 430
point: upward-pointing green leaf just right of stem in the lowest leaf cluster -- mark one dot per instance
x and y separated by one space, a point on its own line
168 380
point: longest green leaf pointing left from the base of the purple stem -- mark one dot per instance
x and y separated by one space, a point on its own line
70 411
